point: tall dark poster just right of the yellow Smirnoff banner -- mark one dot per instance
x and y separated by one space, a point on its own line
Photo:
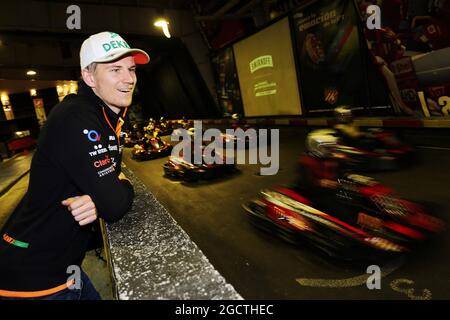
331 68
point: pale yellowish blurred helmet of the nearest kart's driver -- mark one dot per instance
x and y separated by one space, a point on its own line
321 142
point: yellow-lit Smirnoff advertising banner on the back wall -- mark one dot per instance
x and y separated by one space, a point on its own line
267 75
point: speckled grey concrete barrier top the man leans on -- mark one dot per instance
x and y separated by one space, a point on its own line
151 256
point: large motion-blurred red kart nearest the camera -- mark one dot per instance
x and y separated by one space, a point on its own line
367 219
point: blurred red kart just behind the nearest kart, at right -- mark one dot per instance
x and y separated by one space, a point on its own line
377 150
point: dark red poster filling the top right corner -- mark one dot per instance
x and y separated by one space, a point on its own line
411 50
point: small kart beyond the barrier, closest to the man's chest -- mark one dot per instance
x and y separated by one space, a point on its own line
150 148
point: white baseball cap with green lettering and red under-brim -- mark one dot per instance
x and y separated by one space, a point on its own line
108 46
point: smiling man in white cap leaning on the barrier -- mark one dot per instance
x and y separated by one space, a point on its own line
75 177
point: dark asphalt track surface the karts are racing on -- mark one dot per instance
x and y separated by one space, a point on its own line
262 266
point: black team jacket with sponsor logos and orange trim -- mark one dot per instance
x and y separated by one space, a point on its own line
78 153
